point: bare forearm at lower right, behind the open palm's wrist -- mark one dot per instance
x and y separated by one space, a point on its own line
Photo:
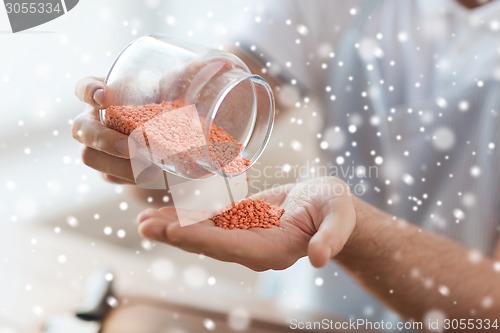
414 271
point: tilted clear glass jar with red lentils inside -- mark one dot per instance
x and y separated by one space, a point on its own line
191 110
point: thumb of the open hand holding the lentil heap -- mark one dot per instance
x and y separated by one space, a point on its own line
333 233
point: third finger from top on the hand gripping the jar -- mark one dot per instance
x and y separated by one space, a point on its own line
108 164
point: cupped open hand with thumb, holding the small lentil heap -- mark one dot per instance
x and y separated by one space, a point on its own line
318 220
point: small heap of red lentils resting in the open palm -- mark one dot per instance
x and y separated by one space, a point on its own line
249 213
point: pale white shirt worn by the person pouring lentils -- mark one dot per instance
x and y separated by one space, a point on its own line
416 86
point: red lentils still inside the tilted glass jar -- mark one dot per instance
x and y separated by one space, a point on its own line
172 139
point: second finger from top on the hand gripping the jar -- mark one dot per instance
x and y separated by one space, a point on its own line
92 133
